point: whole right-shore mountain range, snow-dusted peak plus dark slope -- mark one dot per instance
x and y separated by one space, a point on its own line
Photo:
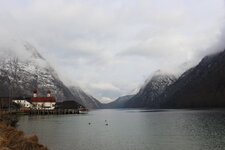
202 86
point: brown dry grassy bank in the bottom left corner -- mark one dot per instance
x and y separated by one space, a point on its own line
13 139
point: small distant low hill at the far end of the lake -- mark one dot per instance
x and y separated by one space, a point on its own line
118 103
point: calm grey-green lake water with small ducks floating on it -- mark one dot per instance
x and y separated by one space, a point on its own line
130 130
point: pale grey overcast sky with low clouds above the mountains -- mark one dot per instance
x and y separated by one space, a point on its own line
110 47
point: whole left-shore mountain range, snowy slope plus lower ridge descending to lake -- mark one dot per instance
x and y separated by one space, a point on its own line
22 72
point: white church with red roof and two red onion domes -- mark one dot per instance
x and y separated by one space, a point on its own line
47 102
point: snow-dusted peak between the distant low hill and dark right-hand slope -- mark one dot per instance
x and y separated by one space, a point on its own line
149 94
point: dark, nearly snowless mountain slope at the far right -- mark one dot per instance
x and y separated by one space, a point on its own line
201 86
